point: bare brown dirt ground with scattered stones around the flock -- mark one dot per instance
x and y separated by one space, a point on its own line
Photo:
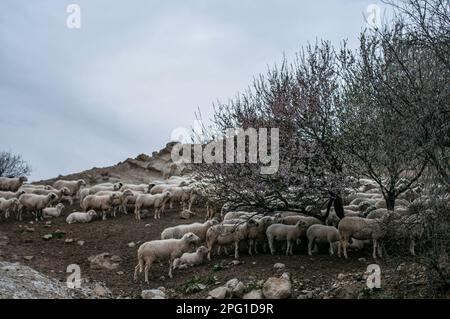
52 257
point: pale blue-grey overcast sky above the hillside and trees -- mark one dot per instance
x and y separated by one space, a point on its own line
72 99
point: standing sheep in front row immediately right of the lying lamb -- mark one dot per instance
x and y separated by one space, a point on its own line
223 235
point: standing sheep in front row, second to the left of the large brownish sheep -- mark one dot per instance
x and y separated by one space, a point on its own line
289 233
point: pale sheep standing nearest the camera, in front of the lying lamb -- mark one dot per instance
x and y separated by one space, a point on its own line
158 250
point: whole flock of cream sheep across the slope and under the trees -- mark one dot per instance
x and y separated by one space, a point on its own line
366 221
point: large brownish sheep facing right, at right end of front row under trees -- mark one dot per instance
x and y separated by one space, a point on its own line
362 229
